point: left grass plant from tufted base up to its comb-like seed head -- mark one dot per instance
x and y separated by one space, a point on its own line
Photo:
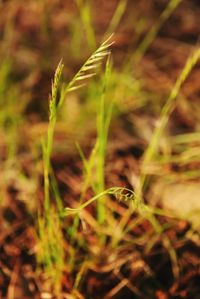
51 241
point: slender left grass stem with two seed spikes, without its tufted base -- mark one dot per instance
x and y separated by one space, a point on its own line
57 100
